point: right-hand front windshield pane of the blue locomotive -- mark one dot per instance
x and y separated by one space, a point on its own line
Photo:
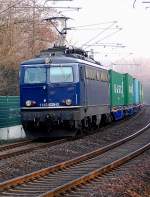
61 74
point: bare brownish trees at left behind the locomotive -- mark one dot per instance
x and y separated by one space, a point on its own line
23 33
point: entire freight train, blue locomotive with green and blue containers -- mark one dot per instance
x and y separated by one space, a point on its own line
64 92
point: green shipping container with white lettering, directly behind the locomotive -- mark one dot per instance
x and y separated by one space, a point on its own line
116 88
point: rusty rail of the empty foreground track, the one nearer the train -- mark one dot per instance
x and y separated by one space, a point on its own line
67 164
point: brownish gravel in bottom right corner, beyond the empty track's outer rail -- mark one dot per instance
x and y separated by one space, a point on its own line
130 180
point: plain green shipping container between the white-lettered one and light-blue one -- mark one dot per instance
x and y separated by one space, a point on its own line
128 89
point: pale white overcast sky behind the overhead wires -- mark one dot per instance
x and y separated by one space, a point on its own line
132 27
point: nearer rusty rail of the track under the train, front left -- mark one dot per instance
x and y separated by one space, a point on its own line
29 149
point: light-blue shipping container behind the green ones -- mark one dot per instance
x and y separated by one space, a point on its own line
136 92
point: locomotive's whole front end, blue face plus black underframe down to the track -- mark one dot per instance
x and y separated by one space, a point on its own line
49 97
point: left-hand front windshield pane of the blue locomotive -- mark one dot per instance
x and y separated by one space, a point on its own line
35 75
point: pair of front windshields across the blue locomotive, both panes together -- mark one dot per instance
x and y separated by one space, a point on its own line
50 74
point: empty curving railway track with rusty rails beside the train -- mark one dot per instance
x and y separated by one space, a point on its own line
67 176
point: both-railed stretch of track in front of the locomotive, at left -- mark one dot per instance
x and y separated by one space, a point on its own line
19 148
